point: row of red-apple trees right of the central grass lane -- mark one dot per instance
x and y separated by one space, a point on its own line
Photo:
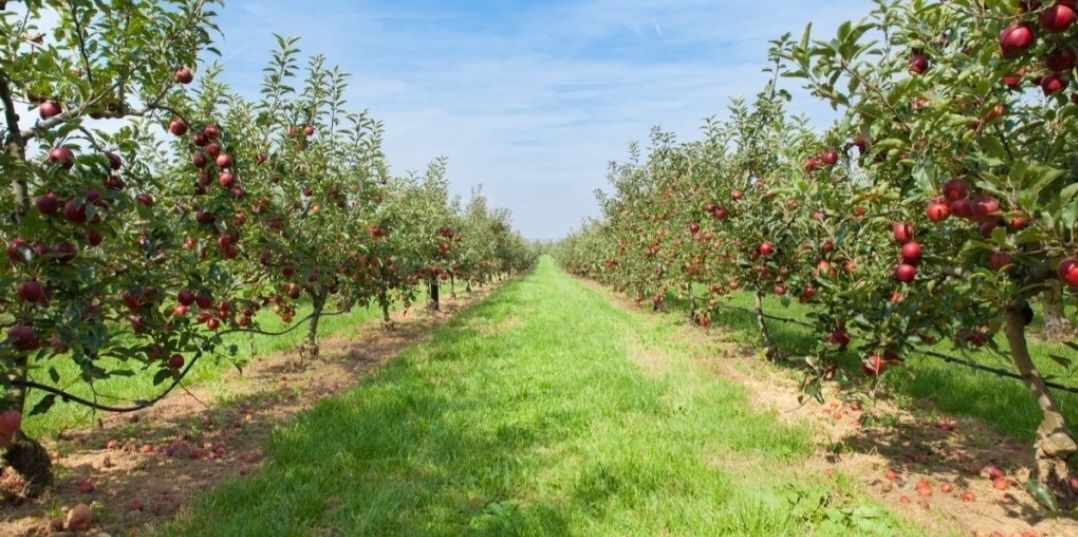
942 205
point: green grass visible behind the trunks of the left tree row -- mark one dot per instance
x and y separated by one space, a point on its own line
121 391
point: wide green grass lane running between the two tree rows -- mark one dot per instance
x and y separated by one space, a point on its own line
528 416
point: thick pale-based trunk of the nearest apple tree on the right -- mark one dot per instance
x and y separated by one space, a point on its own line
1055 443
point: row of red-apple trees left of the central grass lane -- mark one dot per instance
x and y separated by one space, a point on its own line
150 210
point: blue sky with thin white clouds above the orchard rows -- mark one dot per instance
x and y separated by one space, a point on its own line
531 100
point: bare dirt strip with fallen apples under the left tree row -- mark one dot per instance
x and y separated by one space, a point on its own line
137 471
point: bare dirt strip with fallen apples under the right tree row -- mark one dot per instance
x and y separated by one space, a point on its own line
948 475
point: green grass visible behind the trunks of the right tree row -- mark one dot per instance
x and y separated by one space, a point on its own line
1003 404
